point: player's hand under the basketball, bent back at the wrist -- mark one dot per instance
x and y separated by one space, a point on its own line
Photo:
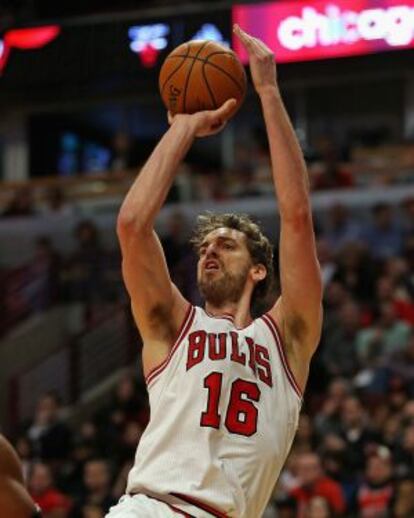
208 122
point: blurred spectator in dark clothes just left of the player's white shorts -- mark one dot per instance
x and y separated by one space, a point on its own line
97 488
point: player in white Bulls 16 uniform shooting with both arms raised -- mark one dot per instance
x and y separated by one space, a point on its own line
225 390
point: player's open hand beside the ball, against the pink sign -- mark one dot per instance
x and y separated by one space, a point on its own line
261 59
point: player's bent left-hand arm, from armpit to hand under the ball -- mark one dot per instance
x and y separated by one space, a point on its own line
157 305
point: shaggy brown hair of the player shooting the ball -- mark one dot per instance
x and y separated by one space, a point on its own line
259 246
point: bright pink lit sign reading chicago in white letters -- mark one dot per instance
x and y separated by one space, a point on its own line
305 30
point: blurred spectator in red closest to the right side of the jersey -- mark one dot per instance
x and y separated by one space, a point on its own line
313 482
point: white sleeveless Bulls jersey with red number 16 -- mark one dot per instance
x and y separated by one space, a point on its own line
224 412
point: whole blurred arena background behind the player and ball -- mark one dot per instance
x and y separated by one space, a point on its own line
80 113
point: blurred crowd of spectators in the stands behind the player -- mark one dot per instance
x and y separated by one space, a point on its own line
354 451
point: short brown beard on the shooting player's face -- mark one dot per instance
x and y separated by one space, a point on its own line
225 287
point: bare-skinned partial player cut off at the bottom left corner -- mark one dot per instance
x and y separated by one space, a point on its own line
15 501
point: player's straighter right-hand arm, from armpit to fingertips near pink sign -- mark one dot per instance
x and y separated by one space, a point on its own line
299 308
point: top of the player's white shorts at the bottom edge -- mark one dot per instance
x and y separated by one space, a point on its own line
141 506
